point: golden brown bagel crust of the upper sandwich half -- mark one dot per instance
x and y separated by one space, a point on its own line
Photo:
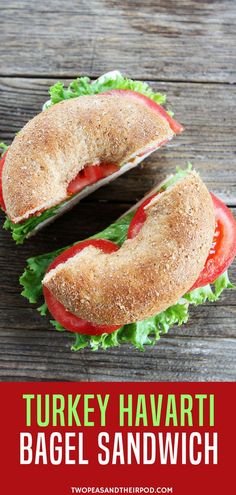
56 144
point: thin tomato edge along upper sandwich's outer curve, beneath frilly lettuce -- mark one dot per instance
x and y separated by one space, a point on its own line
174 125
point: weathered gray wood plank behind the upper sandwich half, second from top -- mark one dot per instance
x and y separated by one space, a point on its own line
206 110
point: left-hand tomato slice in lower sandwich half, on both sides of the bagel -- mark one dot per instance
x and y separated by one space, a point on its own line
58 311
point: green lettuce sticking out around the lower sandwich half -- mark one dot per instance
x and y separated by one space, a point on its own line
139 334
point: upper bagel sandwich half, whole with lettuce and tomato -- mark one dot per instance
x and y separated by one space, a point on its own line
86 136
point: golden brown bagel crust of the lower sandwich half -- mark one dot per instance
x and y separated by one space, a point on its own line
148 273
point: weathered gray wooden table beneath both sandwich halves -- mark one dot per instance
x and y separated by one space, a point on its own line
186 49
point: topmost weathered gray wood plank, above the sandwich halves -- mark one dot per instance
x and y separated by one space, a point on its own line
187 40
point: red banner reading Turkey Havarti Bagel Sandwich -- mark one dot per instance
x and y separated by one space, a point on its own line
65 438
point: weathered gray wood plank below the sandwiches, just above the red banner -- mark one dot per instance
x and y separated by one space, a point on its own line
173 358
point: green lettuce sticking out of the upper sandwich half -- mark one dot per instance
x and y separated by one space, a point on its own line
79 87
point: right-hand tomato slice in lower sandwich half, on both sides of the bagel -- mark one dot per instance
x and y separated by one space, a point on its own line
223 248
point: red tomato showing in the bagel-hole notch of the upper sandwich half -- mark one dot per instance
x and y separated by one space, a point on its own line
89 175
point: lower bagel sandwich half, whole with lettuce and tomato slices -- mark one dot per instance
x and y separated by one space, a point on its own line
137 278
